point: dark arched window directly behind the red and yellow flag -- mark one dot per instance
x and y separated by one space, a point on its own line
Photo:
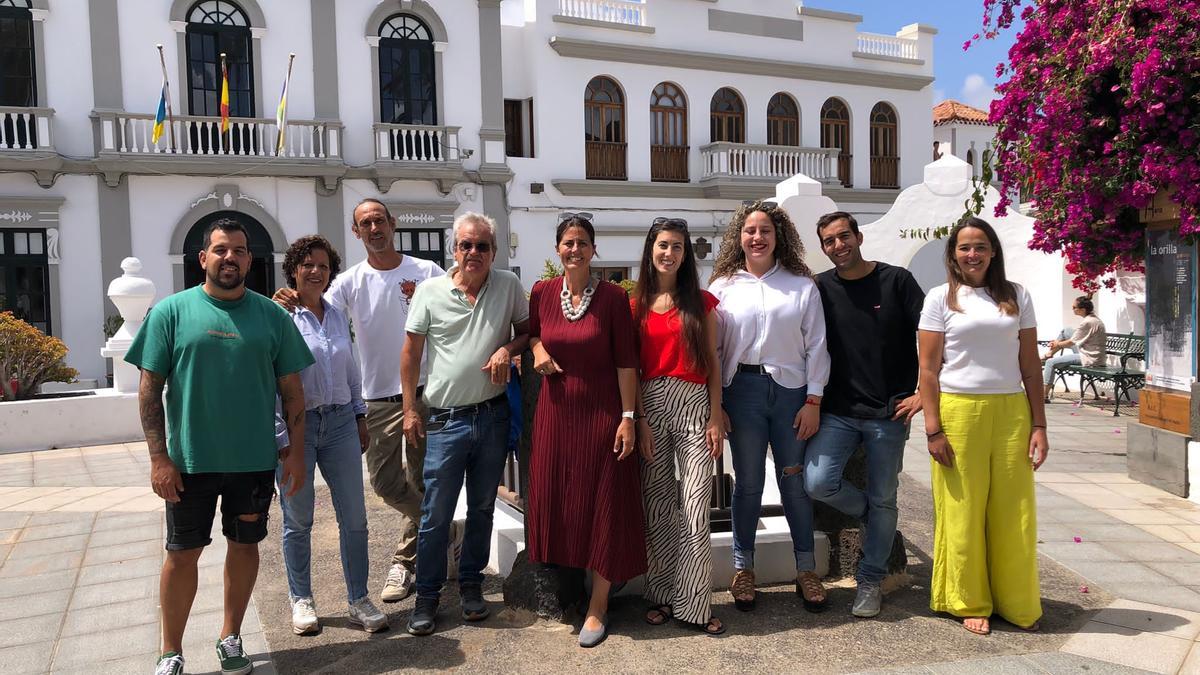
215 28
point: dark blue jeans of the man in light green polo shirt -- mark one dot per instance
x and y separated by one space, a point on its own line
460 446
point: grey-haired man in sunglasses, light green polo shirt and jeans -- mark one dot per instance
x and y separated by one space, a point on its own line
475 321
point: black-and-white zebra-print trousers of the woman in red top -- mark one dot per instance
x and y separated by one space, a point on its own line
677 531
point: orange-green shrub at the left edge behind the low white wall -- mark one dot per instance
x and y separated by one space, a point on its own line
28 359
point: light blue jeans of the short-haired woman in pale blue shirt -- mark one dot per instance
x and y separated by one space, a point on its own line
332 441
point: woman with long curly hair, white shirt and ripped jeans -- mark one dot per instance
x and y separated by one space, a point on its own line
775 371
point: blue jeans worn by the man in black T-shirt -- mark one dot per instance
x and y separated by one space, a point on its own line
830 451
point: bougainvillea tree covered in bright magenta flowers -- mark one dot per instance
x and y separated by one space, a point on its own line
1100 112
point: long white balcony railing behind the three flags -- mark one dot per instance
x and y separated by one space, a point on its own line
201 136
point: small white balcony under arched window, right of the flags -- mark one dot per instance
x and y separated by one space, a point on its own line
417 152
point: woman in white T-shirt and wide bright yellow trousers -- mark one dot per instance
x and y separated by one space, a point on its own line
986 421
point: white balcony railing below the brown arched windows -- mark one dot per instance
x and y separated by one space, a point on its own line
745 160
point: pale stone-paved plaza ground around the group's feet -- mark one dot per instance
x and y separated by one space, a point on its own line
81 546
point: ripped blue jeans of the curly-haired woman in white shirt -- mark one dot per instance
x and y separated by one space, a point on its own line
764 413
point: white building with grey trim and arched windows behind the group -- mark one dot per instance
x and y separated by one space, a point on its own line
519 109
